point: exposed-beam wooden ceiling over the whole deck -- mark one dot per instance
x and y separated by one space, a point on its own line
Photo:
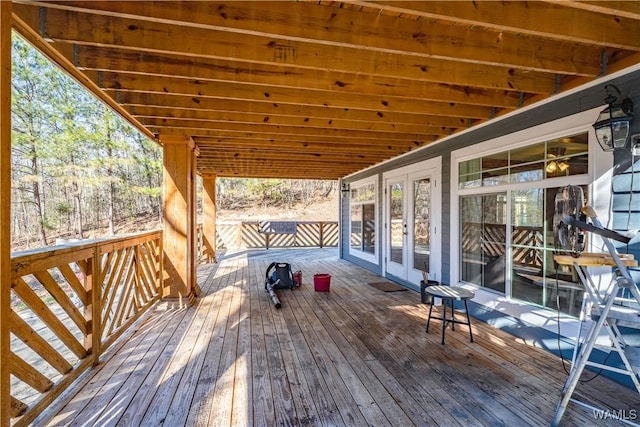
325 88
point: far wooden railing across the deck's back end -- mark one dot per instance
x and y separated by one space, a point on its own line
247 235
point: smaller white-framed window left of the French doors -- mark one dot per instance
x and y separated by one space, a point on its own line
363 219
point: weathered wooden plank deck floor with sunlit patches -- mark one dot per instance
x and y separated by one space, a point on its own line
354 356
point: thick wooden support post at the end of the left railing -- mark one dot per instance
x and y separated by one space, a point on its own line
179 235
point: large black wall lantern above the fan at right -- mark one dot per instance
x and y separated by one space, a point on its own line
614 122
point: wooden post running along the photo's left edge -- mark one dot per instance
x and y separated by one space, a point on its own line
5 212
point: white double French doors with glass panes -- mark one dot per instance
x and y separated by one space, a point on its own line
412 221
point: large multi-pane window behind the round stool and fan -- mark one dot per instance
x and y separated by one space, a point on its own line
506 229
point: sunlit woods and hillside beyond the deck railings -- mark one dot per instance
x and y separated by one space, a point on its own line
79 170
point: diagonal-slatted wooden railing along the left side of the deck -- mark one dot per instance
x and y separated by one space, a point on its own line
68 305
